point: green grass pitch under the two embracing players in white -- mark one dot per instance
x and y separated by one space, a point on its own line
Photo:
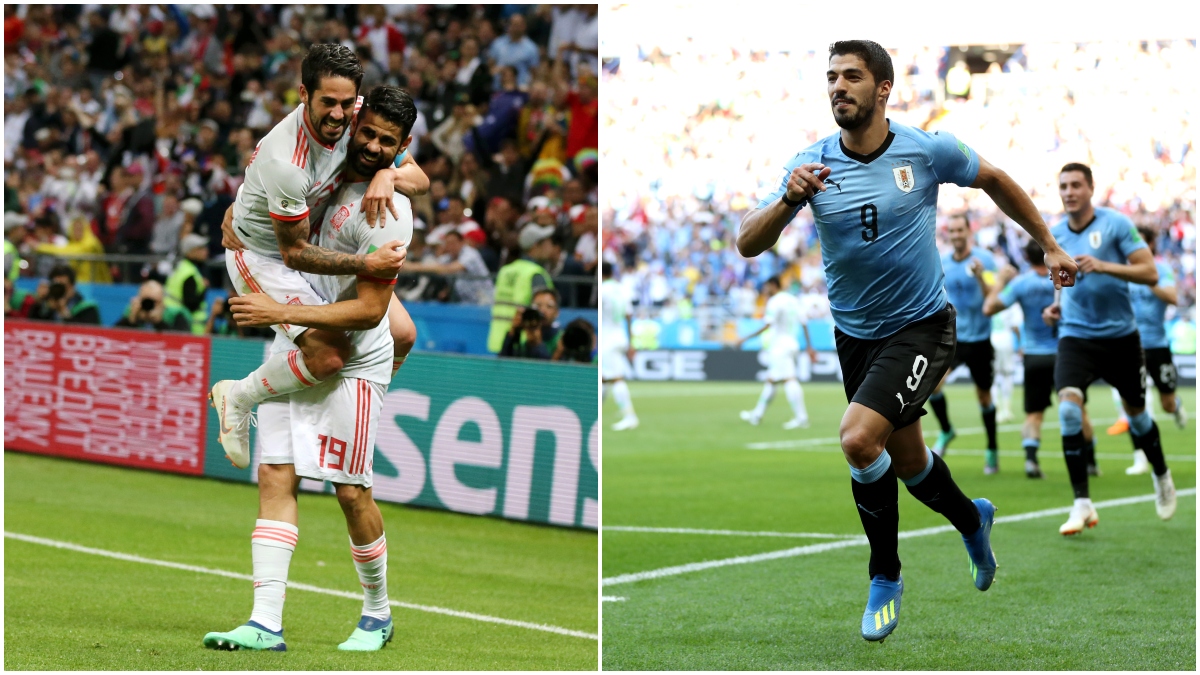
70 611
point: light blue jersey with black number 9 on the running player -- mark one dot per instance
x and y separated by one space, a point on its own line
877 225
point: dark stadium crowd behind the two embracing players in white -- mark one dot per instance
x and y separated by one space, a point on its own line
129 129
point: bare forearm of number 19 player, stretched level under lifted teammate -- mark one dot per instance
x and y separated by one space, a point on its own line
361 314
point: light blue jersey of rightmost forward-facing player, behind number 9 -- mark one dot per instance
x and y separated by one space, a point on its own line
1099 306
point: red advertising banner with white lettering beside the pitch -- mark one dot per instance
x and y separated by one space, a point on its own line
100 395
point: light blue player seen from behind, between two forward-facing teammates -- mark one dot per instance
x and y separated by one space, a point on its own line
1040 343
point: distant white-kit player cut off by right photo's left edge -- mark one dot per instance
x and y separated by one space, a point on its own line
615 338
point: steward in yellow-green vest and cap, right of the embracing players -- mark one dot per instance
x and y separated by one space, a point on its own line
518 282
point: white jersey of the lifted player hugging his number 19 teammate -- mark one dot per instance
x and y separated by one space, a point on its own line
292 176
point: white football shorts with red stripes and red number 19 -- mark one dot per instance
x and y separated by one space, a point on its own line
328 432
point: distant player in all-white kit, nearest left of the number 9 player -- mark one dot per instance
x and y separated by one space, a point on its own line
783 316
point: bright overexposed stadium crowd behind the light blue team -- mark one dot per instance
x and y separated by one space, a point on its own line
695 136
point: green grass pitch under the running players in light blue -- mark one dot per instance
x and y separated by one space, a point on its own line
1121 596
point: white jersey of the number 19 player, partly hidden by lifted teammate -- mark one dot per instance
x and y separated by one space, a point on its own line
345 230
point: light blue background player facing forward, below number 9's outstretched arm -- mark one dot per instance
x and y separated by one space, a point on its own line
969 279
